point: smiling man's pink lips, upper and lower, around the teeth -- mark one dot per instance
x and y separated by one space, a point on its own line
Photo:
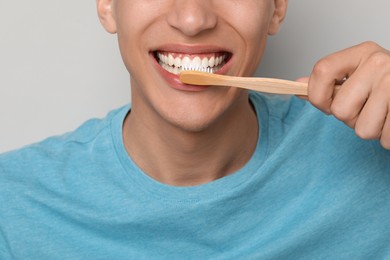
172 79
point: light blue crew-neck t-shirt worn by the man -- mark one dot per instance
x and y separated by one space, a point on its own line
312 190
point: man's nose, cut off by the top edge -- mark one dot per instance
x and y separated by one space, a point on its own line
191 17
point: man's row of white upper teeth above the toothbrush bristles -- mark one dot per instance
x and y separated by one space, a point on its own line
177 64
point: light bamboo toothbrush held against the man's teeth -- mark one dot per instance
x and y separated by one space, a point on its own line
267 85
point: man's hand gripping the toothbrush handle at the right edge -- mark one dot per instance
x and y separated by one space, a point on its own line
363 101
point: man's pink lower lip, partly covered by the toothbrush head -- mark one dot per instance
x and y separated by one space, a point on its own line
174 81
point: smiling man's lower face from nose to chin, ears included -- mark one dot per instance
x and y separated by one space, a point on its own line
157 38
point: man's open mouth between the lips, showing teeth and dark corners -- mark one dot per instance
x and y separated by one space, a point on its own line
177 62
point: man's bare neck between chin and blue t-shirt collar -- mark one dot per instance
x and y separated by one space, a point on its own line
178 157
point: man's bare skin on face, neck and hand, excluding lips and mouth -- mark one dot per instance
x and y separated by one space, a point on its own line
186 138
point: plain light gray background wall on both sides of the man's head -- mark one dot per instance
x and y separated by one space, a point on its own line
58 67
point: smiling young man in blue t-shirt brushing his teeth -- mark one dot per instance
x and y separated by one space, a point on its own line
210 172
